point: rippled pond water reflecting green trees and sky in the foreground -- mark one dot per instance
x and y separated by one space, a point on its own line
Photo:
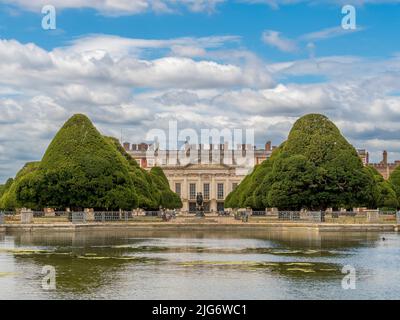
192 265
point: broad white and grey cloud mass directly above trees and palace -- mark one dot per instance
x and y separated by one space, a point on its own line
118 88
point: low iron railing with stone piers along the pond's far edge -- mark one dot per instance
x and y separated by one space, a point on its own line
366 216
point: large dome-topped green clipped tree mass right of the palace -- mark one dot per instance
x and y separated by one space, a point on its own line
315 168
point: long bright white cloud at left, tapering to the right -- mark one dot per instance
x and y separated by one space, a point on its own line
91 64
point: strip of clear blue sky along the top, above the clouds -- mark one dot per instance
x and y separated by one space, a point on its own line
378 39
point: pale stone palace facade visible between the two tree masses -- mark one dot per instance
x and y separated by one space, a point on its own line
214 170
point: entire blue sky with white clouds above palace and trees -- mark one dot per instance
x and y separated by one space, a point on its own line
134 65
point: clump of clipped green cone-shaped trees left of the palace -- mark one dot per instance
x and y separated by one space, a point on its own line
83 169
